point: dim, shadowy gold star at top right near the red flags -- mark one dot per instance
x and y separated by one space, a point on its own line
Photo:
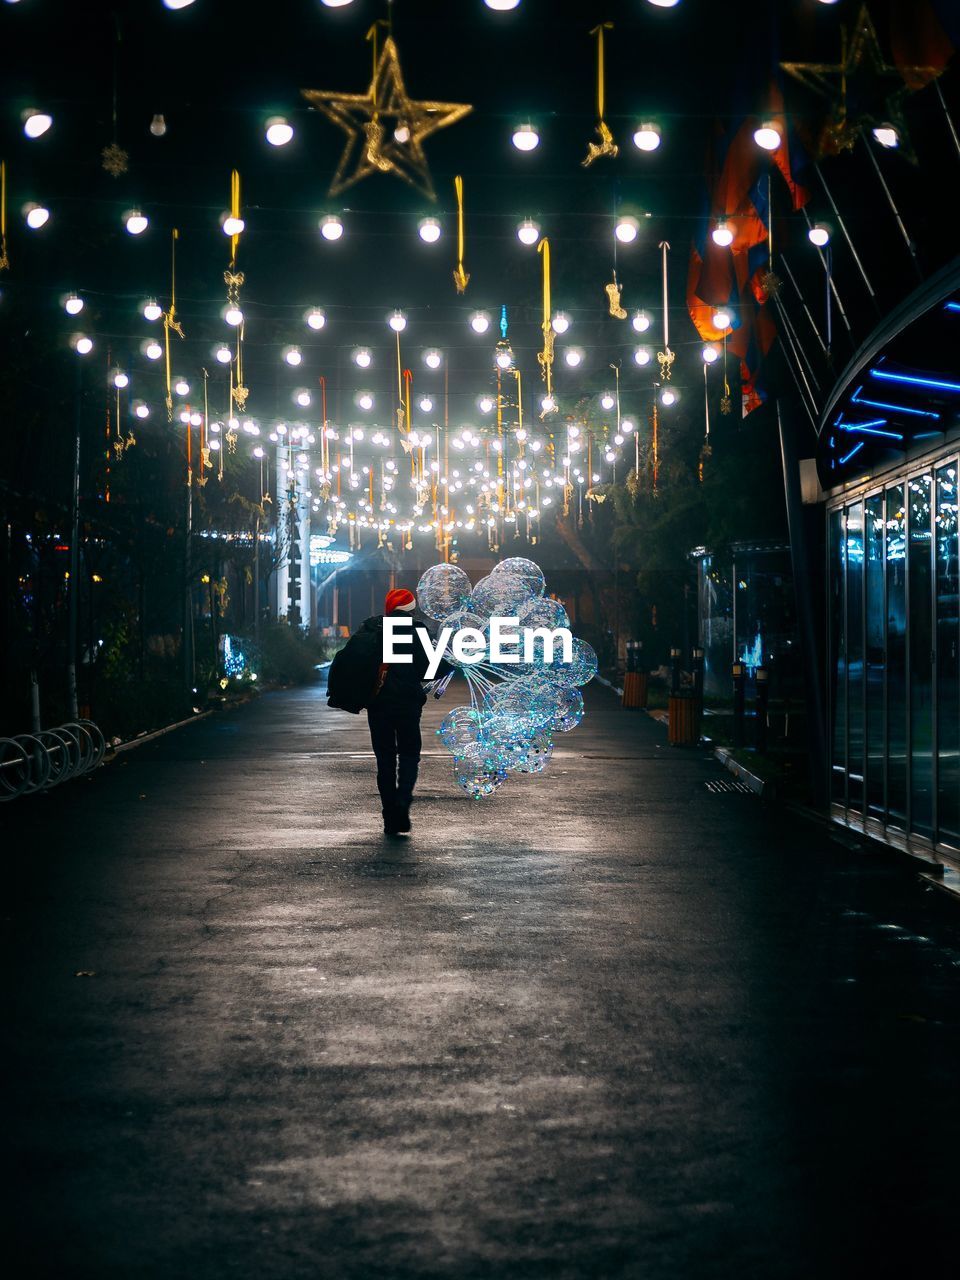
860 89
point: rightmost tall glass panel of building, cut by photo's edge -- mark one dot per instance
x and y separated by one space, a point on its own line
948 656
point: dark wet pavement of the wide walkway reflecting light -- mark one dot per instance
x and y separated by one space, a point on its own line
610 1023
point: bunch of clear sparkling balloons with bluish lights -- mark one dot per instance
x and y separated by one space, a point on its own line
515 708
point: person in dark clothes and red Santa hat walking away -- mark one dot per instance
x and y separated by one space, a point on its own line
395 716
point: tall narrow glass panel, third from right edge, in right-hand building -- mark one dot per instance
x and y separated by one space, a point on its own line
897 656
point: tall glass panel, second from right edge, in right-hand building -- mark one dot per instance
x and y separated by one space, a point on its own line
920 570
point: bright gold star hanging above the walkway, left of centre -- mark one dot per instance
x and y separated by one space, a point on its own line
386 129
